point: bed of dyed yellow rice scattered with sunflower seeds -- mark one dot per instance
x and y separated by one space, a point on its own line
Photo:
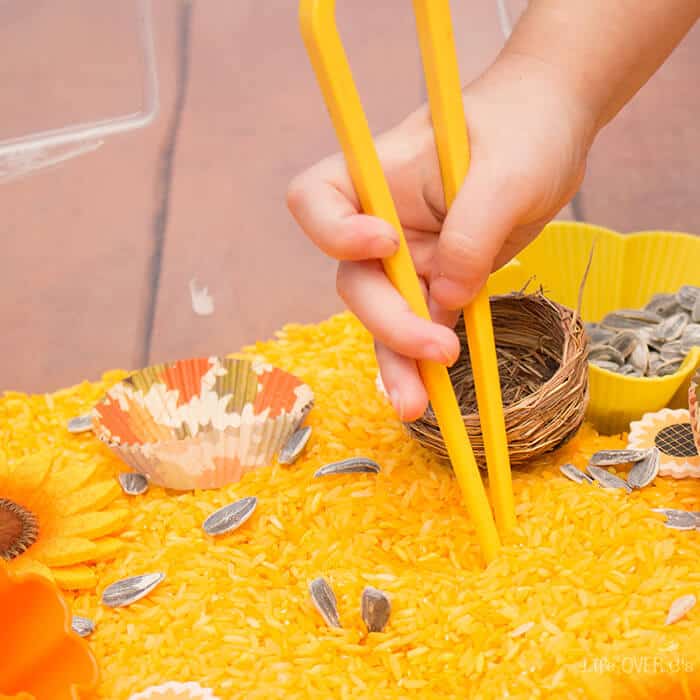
593 569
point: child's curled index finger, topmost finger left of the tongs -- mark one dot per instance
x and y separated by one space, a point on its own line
331 220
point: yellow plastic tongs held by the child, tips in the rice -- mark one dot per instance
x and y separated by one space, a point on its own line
333 72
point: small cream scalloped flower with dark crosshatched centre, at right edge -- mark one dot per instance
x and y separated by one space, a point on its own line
670 431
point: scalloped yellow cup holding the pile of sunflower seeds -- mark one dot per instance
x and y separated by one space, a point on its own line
626 271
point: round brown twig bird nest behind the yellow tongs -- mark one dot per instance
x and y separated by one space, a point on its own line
541 349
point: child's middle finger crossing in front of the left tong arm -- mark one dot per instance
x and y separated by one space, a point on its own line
367 291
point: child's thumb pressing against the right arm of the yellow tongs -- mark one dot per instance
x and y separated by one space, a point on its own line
477 225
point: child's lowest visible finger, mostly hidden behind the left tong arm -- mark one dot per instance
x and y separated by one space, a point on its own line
402 382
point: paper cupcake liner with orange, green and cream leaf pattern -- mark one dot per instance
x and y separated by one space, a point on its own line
201 423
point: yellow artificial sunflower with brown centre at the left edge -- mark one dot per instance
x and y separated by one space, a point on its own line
53 519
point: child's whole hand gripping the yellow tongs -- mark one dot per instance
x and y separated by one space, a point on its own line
529 140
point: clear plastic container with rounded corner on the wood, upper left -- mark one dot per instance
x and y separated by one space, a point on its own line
51 116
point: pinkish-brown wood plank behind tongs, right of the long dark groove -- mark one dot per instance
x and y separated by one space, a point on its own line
253 119
